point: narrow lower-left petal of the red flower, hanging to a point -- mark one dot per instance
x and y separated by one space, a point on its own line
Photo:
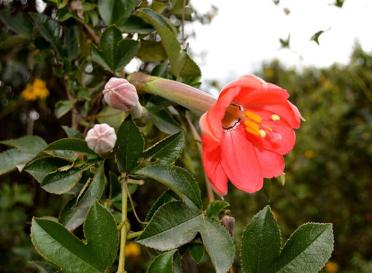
213 168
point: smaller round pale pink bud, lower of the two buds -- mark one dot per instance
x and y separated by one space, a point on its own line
101 138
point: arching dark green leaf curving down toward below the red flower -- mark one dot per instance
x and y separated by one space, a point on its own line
179 180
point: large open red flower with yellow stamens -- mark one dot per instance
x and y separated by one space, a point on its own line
246 133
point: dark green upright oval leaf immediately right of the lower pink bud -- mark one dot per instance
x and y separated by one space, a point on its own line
129 145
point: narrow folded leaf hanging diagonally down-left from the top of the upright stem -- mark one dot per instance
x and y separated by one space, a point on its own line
74 216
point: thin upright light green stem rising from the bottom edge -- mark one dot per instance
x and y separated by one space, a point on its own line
124 226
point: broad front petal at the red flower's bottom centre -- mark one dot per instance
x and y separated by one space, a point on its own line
240 162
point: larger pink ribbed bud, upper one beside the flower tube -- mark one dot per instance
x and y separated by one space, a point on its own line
120 94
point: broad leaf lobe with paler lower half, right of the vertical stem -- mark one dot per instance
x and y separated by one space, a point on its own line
173 225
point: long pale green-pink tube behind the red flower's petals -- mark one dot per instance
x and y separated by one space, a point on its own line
182 94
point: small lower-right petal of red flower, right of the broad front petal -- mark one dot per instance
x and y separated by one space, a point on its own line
272 164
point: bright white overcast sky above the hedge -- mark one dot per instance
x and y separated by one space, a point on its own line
246 32
